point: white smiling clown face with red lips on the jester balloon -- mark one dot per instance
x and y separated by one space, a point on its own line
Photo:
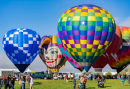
52 56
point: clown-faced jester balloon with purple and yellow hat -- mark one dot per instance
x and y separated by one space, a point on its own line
50 53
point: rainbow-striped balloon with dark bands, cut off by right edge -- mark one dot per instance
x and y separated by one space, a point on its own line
123 55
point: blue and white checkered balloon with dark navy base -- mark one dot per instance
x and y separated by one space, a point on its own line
21 47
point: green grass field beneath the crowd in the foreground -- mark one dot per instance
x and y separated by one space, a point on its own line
61 84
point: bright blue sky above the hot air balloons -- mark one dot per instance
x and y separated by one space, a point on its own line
42 15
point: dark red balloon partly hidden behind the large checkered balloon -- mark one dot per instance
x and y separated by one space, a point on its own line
110 53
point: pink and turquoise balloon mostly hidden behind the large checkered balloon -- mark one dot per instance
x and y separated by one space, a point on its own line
67 55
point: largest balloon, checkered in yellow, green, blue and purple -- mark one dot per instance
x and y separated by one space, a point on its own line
86 31
